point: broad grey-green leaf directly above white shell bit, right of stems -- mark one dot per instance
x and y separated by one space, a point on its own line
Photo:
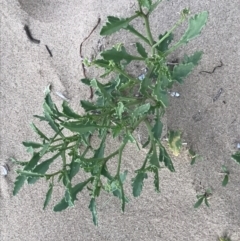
181 71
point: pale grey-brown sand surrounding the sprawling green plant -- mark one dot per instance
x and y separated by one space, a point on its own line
27 68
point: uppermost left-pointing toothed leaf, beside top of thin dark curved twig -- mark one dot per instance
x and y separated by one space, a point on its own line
114 24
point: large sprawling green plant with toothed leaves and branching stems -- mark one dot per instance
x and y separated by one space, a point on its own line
122 104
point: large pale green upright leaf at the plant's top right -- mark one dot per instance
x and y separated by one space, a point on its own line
195 25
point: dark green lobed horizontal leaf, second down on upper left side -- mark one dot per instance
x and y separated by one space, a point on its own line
117 55
